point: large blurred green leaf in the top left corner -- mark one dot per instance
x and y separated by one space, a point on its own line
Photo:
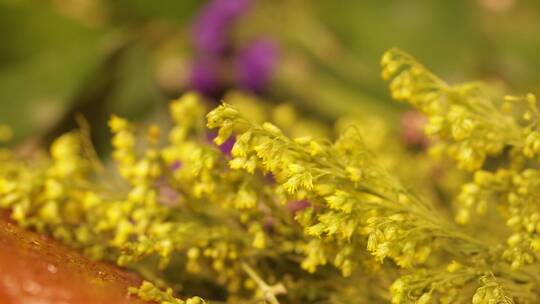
44 60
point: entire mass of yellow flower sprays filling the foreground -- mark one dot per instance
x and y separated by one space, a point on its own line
290 216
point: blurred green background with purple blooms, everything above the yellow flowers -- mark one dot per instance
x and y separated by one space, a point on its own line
60 58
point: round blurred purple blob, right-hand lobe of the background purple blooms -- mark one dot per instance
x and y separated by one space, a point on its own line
256 63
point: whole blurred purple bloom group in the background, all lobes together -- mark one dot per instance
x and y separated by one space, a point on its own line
253 65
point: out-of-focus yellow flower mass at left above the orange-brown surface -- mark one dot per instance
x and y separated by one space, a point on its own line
179 209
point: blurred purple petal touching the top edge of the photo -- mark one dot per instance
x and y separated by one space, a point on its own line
212 26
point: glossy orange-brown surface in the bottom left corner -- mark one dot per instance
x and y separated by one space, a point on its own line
36 269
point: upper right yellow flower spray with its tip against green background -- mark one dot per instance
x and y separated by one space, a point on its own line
467 121
